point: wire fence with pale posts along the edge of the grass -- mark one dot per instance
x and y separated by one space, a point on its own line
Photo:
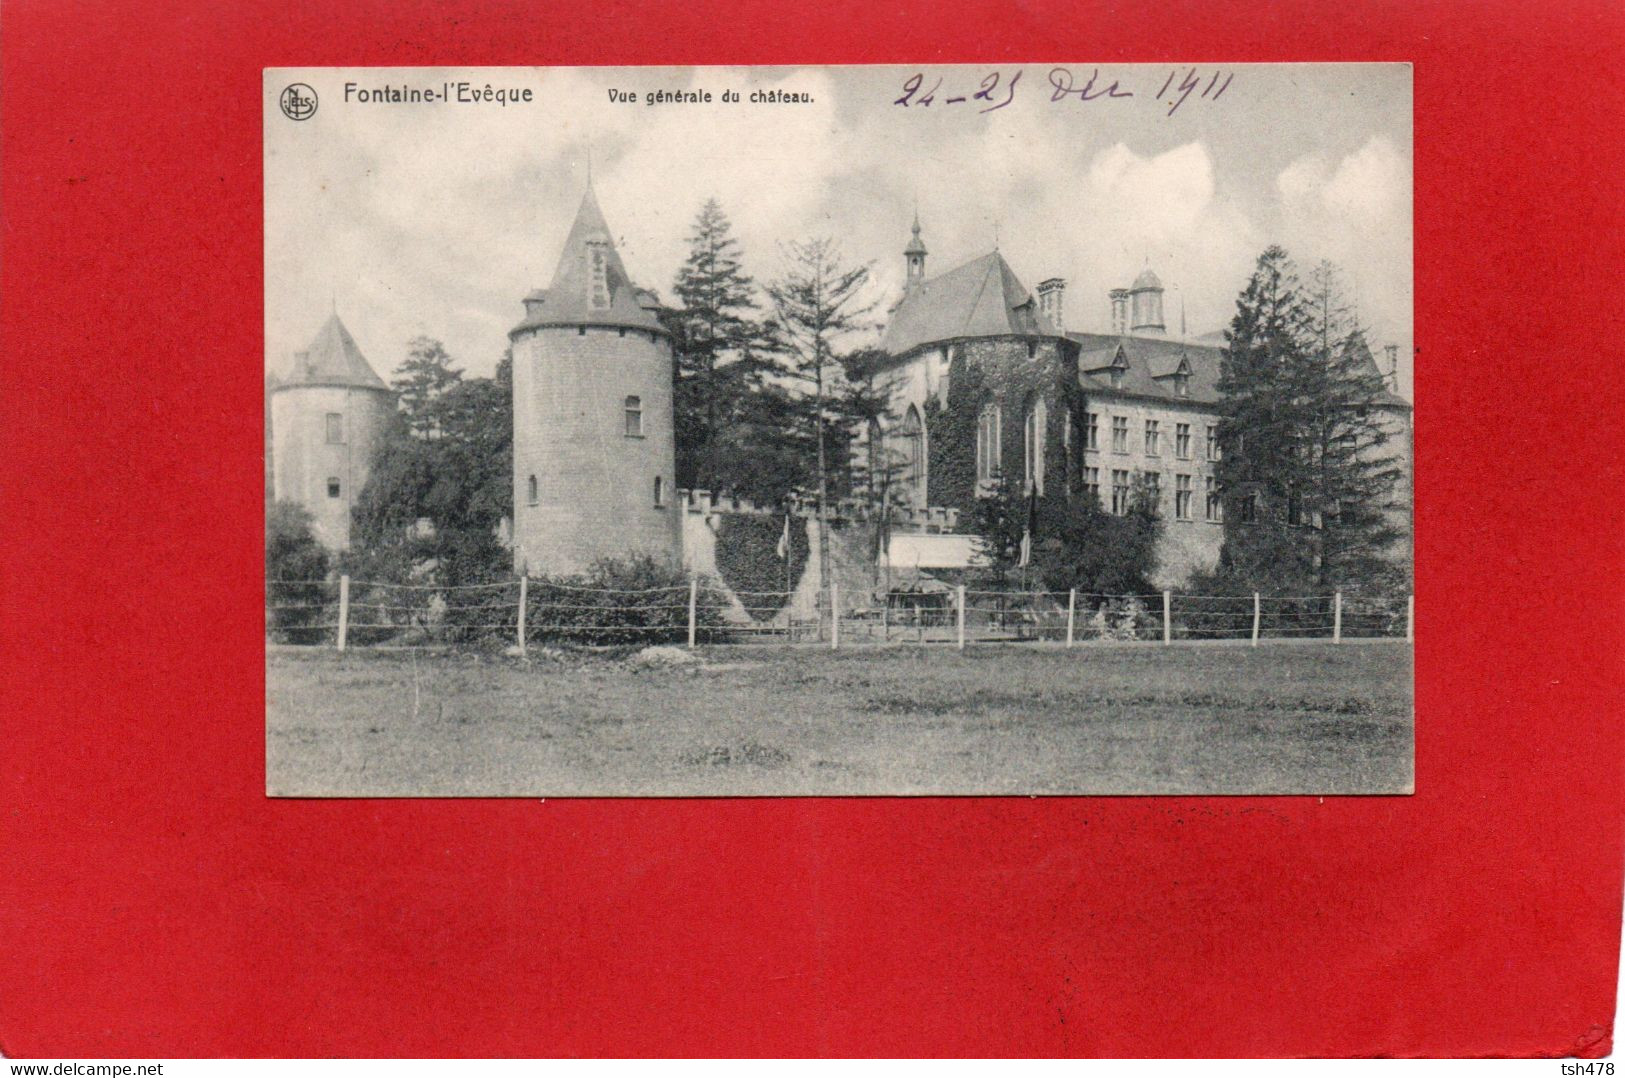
526 612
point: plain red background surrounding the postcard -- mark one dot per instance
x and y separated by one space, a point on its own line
154 903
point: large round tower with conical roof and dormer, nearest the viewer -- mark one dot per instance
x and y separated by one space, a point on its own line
594 453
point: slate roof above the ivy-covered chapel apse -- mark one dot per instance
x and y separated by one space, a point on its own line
982 298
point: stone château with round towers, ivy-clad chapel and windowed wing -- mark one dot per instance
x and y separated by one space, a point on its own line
1090 415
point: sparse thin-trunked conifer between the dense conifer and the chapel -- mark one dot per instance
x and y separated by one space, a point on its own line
820 302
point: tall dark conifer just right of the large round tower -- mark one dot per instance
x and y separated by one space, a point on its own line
721 354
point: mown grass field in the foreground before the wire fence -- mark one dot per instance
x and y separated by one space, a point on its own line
1101 719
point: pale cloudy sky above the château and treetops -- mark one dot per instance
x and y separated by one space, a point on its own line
436 219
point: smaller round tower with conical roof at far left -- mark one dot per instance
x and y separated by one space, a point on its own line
329 415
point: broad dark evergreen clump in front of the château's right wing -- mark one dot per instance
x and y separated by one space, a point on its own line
1307 482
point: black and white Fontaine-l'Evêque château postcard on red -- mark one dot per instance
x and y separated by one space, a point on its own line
947 430
